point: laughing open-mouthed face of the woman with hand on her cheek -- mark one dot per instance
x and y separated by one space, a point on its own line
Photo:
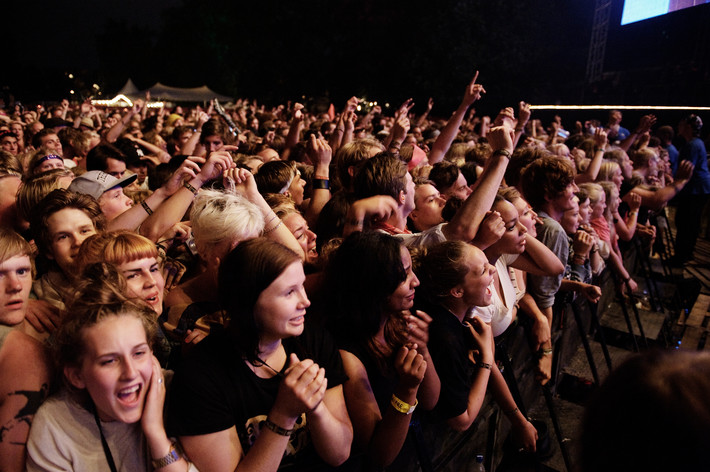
116 368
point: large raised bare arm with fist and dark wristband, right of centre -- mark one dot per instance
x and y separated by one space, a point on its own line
465 223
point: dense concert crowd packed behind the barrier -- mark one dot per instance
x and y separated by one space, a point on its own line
301 282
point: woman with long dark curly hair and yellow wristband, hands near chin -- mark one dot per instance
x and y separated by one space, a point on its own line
370 286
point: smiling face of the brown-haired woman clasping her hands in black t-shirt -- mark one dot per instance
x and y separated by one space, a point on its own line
280 309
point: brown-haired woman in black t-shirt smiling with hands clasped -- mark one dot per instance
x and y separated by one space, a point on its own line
256 396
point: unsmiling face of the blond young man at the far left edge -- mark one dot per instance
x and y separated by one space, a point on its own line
15 285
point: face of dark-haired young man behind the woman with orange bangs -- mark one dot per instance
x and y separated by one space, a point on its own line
67 229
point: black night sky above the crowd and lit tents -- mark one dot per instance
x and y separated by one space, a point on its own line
386 50
